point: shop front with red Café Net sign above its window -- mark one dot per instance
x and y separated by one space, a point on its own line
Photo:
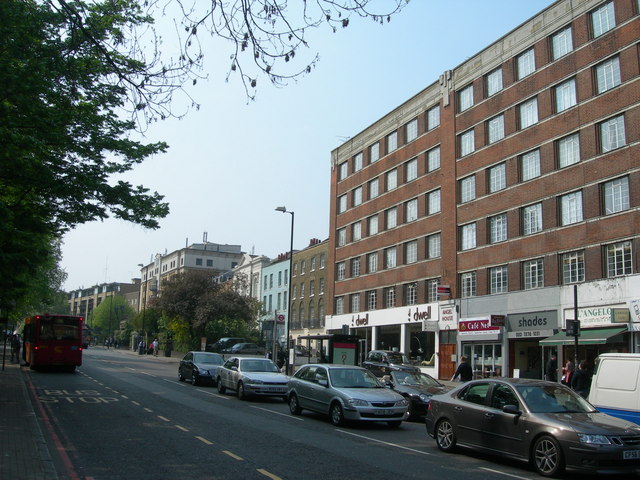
481 342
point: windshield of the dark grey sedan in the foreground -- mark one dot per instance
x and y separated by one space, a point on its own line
553 399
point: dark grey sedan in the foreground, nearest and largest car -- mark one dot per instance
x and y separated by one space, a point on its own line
541 422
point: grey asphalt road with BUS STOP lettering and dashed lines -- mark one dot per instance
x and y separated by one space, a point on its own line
128 417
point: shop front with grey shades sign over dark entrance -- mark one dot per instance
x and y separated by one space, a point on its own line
524 333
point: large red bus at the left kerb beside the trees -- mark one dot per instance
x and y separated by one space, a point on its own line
53 341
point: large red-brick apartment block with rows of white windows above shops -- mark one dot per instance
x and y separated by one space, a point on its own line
461 221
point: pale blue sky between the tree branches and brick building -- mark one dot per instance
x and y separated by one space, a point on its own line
231 163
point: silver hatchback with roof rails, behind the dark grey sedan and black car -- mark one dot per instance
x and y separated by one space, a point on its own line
344 393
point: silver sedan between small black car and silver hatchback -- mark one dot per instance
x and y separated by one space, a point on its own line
252 376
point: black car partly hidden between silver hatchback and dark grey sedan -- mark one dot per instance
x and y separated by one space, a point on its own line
416 387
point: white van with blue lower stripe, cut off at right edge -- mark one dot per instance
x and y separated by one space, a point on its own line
615 387
